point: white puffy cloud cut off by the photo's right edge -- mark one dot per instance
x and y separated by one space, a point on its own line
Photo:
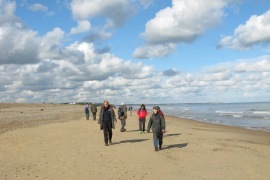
255 31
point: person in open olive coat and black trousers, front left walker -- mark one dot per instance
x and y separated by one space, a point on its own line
107 121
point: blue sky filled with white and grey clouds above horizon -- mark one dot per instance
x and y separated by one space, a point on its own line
135 51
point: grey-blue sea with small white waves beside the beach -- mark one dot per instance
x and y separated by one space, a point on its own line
255 116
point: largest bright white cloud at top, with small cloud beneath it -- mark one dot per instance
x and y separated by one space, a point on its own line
183 22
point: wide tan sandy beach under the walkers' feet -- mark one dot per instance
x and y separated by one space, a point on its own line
48 141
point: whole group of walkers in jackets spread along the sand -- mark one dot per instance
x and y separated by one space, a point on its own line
107 119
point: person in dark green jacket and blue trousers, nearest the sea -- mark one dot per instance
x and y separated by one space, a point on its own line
157 123
